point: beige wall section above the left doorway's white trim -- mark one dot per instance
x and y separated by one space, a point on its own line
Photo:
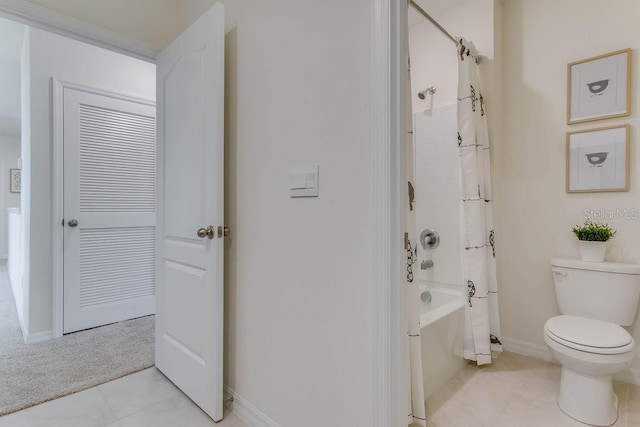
154 22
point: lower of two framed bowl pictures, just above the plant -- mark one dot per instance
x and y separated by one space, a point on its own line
598 160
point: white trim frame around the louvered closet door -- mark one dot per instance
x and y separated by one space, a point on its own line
57 151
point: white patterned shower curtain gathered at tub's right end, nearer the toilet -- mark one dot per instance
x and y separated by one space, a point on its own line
482 338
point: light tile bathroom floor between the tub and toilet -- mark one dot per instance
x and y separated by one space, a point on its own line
514 391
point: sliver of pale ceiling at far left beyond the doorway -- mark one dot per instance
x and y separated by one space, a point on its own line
11 36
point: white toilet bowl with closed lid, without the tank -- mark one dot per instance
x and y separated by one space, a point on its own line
590 351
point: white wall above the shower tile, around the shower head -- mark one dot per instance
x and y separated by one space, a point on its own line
433 55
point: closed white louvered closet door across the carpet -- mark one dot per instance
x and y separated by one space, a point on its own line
109 190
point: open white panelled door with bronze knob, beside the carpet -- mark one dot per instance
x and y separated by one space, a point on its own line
190 223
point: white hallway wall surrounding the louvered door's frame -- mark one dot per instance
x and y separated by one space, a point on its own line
50 56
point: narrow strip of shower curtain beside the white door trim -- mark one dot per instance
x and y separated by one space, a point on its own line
417 413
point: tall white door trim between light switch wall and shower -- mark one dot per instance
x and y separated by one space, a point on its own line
389 43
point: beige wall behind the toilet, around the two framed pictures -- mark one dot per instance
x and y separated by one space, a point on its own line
534 213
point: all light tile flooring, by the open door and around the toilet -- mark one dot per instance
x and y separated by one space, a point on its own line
515 391
